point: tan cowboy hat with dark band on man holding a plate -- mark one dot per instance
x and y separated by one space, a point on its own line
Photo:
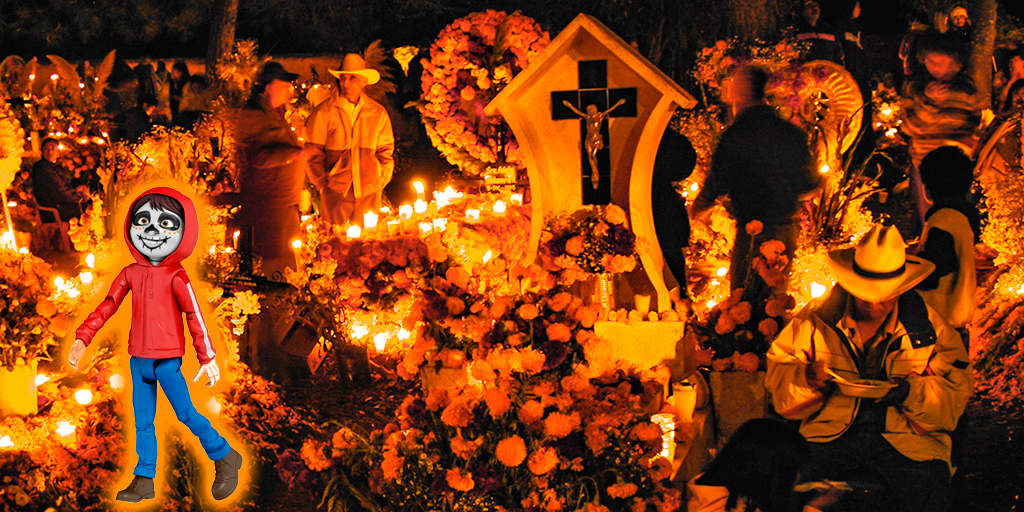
878 269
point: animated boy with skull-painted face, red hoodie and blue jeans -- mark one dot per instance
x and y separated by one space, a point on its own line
162 230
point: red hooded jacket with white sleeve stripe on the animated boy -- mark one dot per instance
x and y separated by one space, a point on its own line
160 295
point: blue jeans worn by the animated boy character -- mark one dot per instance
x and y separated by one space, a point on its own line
146 373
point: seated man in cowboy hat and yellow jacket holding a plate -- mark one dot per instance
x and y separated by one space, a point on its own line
874 326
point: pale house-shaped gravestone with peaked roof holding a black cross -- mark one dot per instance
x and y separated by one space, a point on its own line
588 65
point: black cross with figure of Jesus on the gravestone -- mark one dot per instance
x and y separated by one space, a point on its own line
590 104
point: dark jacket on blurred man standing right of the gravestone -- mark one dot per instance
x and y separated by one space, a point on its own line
763 164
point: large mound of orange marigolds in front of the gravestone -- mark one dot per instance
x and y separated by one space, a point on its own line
522 421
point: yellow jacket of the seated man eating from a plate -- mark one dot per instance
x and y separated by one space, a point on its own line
929 355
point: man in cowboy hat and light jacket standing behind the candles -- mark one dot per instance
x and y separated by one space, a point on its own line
354 145
